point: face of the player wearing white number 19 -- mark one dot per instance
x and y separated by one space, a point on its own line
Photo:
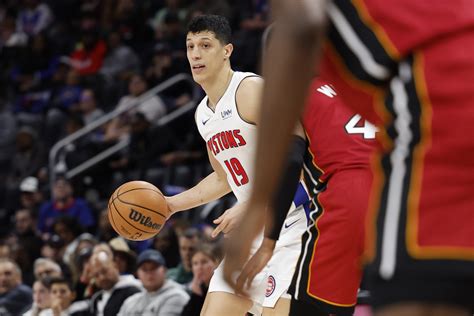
206 55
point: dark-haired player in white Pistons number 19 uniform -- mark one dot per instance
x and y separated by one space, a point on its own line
226 120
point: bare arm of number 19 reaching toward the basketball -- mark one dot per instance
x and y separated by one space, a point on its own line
209 189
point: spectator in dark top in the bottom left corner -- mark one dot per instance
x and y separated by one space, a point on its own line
15 297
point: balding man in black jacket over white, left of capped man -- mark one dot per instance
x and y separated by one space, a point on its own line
114 288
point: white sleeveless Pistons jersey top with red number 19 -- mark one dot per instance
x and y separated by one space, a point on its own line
229 138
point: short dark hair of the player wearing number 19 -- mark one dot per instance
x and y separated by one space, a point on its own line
216 24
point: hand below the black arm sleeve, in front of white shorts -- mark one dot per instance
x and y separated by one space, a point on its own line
256 264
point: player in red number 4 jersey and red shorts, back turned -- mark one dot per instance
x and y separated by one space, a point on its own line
337 173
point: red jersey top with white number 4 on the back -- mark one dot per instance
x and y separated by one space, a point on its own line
338 138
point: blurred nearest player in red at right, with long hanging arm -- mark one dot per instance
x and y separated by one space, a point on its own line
390 62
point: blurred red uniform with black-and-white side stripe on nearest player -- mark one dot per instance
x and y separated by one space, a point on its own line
408 65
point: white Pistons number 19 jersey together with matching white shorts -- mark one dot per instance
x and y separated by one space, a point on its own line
233 142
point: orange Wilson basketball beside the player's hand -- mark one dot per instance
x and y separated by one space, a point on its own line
137 210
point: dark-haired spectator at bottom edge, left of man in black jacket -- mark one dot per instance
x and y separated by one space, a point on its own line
62 297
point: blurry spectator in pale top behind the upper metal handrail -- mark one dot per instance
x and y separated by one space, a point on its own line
153 108
